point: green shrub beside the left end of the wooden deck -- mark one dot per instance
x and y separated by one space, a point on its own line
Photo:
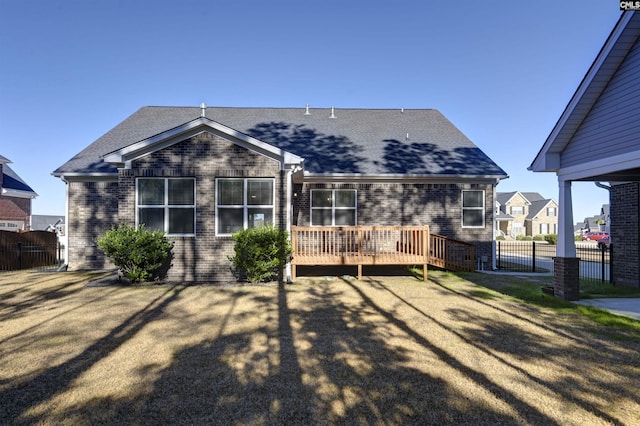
260 253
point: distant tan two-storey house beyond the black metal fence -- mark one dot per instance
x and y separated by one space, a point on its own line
525 213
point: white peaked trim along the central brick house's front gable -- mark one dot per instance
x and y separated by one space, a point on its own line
193 128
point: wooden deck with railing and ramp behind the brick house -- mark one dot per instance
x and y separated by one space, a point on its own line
377 245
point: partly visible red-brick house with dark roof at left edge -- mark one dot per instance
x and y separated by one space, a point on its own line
15 199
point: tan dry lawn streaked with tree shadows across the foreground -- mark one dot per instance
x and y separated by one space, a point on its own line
383 350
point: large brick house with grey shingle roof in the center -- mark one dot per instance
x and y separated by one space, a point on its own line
201 174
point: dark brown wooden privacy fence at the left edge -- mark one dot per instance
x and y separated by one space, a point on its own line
27 250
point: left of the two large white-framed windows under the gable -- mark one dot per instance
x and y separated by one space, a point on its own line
167 204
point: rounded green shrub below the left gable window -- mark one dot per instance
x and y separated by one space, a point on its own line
141 254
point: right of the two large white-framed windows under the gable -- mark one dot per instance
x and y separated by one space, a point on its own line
243 203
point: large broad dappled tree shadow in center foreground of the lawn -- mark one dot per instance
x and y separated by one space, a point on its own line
319 359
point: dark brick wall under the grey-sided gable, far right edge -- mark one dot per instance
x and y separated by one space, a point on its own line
625 233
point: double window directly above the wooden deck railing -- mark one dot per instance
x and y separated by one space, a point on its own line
333 207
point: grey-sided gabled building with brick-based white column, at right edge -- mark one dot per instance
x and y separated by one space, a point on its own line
596 139
